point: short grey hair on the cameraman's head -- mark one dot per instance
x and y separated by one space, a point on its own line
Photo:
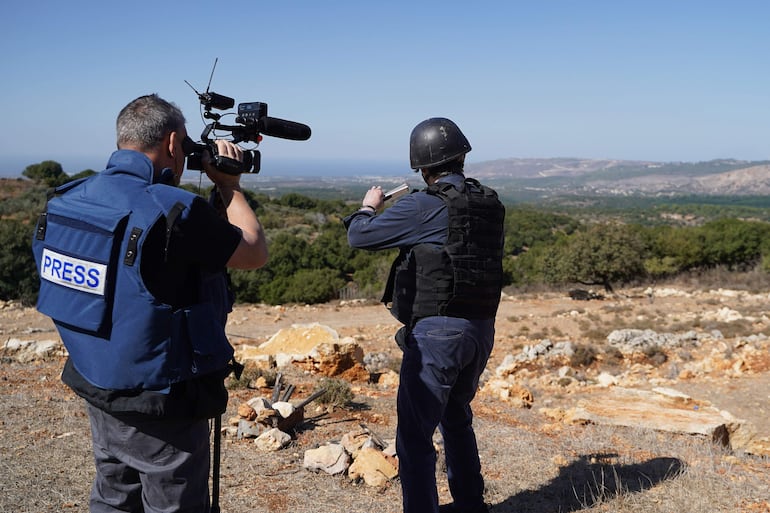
144 122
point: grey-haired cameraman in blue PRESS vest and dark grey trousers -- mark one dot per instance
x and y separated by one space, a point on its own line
153 372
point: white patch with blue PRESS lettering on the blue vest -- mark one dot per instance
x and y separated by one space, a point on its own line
73 272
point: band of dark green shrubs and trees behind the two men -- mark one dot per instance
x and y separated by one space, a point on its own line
591 245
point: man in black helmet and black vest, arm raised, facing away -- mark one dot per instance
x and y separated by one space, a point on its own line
444 286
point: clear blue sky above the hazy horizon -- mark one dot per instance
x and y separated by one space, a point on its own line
654 80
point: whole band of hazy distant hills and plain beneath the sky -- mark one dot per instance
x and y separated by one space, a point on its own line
552 181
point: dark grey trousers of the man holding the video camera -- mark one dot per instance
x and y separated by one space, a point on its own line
149 465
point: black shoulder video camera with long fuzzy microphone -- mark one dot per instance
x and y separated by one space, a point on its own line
252 122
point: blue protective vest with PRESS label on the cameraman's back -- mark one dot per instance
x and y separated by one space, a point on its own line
88 249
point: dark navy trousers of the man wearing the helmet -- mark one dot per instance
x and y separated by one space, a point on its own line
443 359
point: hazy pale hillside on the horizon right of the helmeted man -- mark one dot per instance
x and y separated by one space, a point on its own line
624 178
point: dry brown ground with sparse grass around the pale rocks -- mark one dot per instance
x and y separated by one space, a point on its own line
531 462
